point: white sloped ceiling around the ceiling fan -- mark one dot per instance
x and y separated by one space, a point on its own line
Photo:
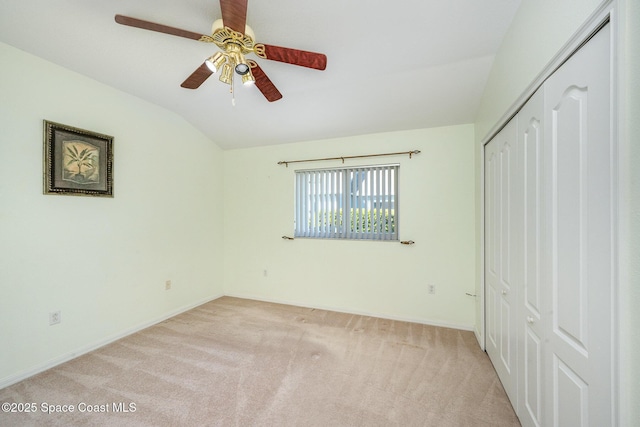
391 65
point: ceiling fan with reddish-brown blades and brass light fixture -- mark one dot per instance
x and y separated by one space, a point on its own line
235 39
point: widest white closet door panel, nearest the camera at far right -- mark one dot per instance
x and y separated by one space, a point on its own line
578 165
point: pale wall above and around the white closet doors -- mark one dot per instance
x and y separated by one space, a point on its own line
540 29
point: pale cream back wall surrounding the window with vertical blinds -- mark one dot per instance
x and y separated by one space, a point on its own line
380 278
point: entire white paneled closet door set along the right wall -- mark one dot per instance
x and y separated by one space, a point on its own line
549 261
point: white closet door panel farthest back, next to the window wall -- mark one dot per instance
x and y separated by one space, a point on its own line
501 294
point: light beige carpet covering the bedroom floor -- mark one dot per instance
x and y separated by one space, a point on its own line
237 362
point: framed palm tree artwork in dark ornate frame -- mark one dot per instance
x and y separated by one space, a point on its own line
77 162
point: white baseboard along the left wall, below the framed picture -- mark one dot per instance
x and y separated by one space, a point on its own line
12 379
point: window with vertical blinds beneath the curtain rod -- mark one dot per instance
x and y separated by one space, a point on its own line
348 203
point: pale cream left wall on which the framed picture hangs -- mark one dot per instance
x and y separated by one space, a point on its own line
102 262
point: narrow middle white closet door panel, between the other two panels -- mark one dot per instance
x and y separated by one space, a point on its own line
530 253
